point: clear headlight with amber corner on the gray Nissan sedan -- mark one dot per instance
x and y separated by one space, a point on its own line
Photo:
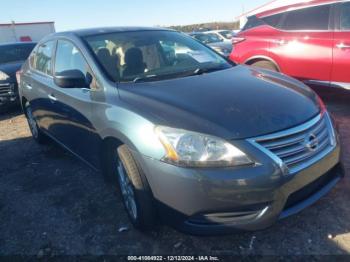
191 149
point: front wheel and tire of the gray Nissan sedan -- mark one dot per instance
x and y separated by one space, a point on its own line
133 184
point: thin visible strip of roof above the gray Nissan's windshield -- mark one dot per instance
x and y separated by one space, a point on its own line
106 30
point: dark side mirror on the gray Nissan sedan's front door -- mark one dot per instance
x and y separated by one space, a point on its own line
71 79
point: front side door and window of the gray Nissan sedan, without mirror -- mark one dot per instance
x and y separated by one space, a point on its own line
74 127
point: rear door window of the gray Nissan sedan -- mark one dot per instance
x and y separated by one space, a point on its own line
43 58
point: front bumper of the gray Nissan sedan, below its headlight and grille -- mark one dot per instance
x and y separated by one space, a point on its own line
220 201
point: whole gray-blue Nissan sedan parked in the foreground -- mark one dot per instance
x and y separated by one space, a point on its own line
207 145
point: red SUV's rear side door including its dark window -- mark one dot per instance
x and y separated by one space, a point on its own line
304 45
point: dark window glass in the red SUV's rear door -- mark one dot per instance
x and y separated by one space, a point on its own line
312 18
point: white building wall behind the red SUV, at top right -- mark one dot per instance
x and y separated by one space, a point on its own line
268 6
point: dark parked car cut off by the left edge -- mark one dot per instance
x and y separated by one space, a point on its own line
12 56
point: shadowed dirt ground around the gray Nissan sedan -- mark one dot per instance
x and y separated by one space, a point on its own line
51 204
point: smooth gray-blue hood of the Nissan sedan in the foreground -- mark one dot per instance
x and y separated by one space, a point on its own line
236 103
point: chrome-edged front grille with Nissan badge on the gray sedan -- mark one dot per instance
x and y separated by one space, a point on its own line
302 145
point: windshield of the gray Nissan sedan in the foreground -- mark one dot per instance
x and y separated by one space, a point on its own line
153 55
